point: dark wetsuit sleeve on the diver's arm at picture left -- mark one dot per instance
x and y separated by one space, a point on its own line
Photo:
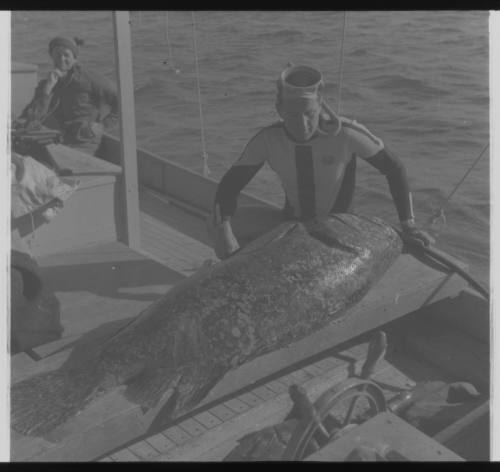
237 177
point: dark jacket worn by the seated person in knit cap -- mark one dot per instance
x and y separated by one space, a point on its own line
77 100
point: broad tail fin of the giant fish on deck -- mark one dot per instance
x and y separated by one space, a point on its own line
43 402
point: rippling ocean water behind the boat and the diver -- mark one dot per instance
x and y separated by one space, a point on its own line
418 80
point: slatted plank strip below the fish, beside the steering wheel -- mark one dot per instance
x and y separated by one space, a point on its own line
200 440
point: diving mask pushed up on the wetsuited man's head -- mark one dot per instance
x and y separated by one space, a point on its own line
300 86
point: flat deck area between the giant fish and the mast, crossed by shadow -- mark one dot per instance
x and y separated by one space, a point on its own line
99 288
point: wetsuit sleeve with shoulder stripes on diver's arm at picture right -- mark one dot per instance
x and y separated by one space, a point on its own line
370 148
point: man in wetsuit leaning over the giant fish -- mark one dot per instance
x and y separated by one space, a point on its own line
314 153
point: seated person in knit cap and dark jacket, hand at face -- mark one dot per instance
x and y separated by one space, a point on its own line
72 99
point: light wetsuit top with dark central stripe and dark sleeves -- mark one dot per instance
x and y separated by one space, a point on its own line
318 176
